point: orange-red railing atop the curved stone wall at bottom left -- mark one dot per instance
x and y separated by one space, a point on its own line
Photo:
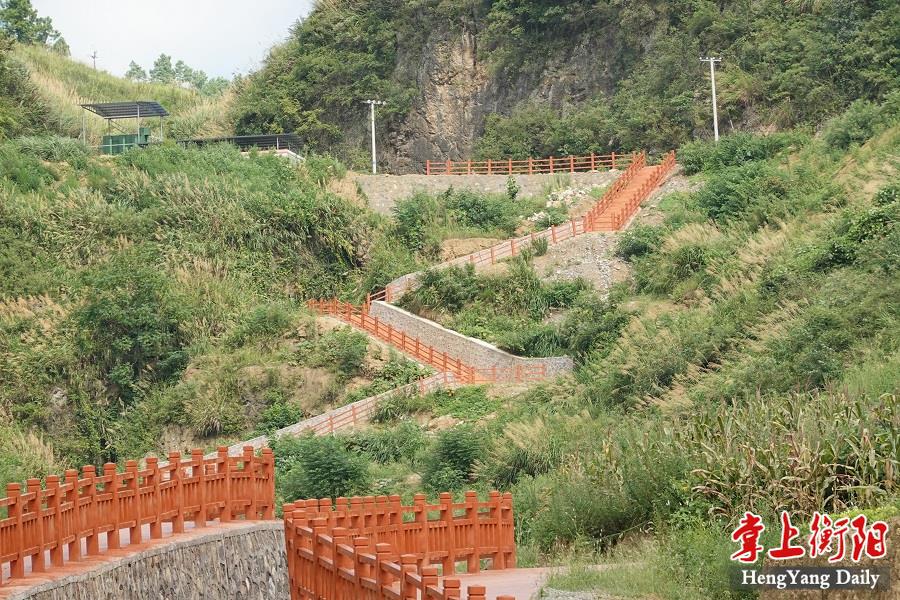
95 508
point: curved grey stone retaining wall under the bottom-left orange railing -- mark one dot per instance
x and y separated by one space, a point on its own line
235 561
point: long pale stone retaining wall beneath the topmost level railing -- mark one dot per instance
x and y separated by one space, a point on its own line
383 191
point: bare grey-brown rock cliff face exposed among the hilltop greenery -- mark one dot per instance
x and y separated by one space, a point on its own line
457 91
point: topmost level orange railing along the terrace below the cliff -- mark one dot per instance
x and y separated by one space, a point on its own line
530 166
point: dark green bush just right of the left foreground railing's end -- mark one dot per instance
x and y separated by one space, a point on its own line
317 467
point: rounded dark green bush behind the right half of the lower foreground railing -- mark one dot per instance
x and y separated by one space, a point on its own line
450 463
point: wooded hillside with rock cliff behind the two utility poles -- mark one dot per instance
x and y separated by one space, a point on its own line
576 77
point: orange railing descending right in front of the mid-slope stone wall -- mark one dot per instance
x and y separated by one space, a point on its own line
359 316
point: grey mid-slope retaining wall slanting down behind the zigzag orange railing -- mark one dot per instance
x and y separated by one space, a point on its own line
474 352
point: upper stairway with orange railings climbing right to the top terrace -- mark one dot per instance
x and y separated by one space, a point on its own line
607 214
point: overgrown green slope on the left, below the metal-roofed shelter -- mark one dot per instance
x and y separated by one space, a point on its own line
155 299
